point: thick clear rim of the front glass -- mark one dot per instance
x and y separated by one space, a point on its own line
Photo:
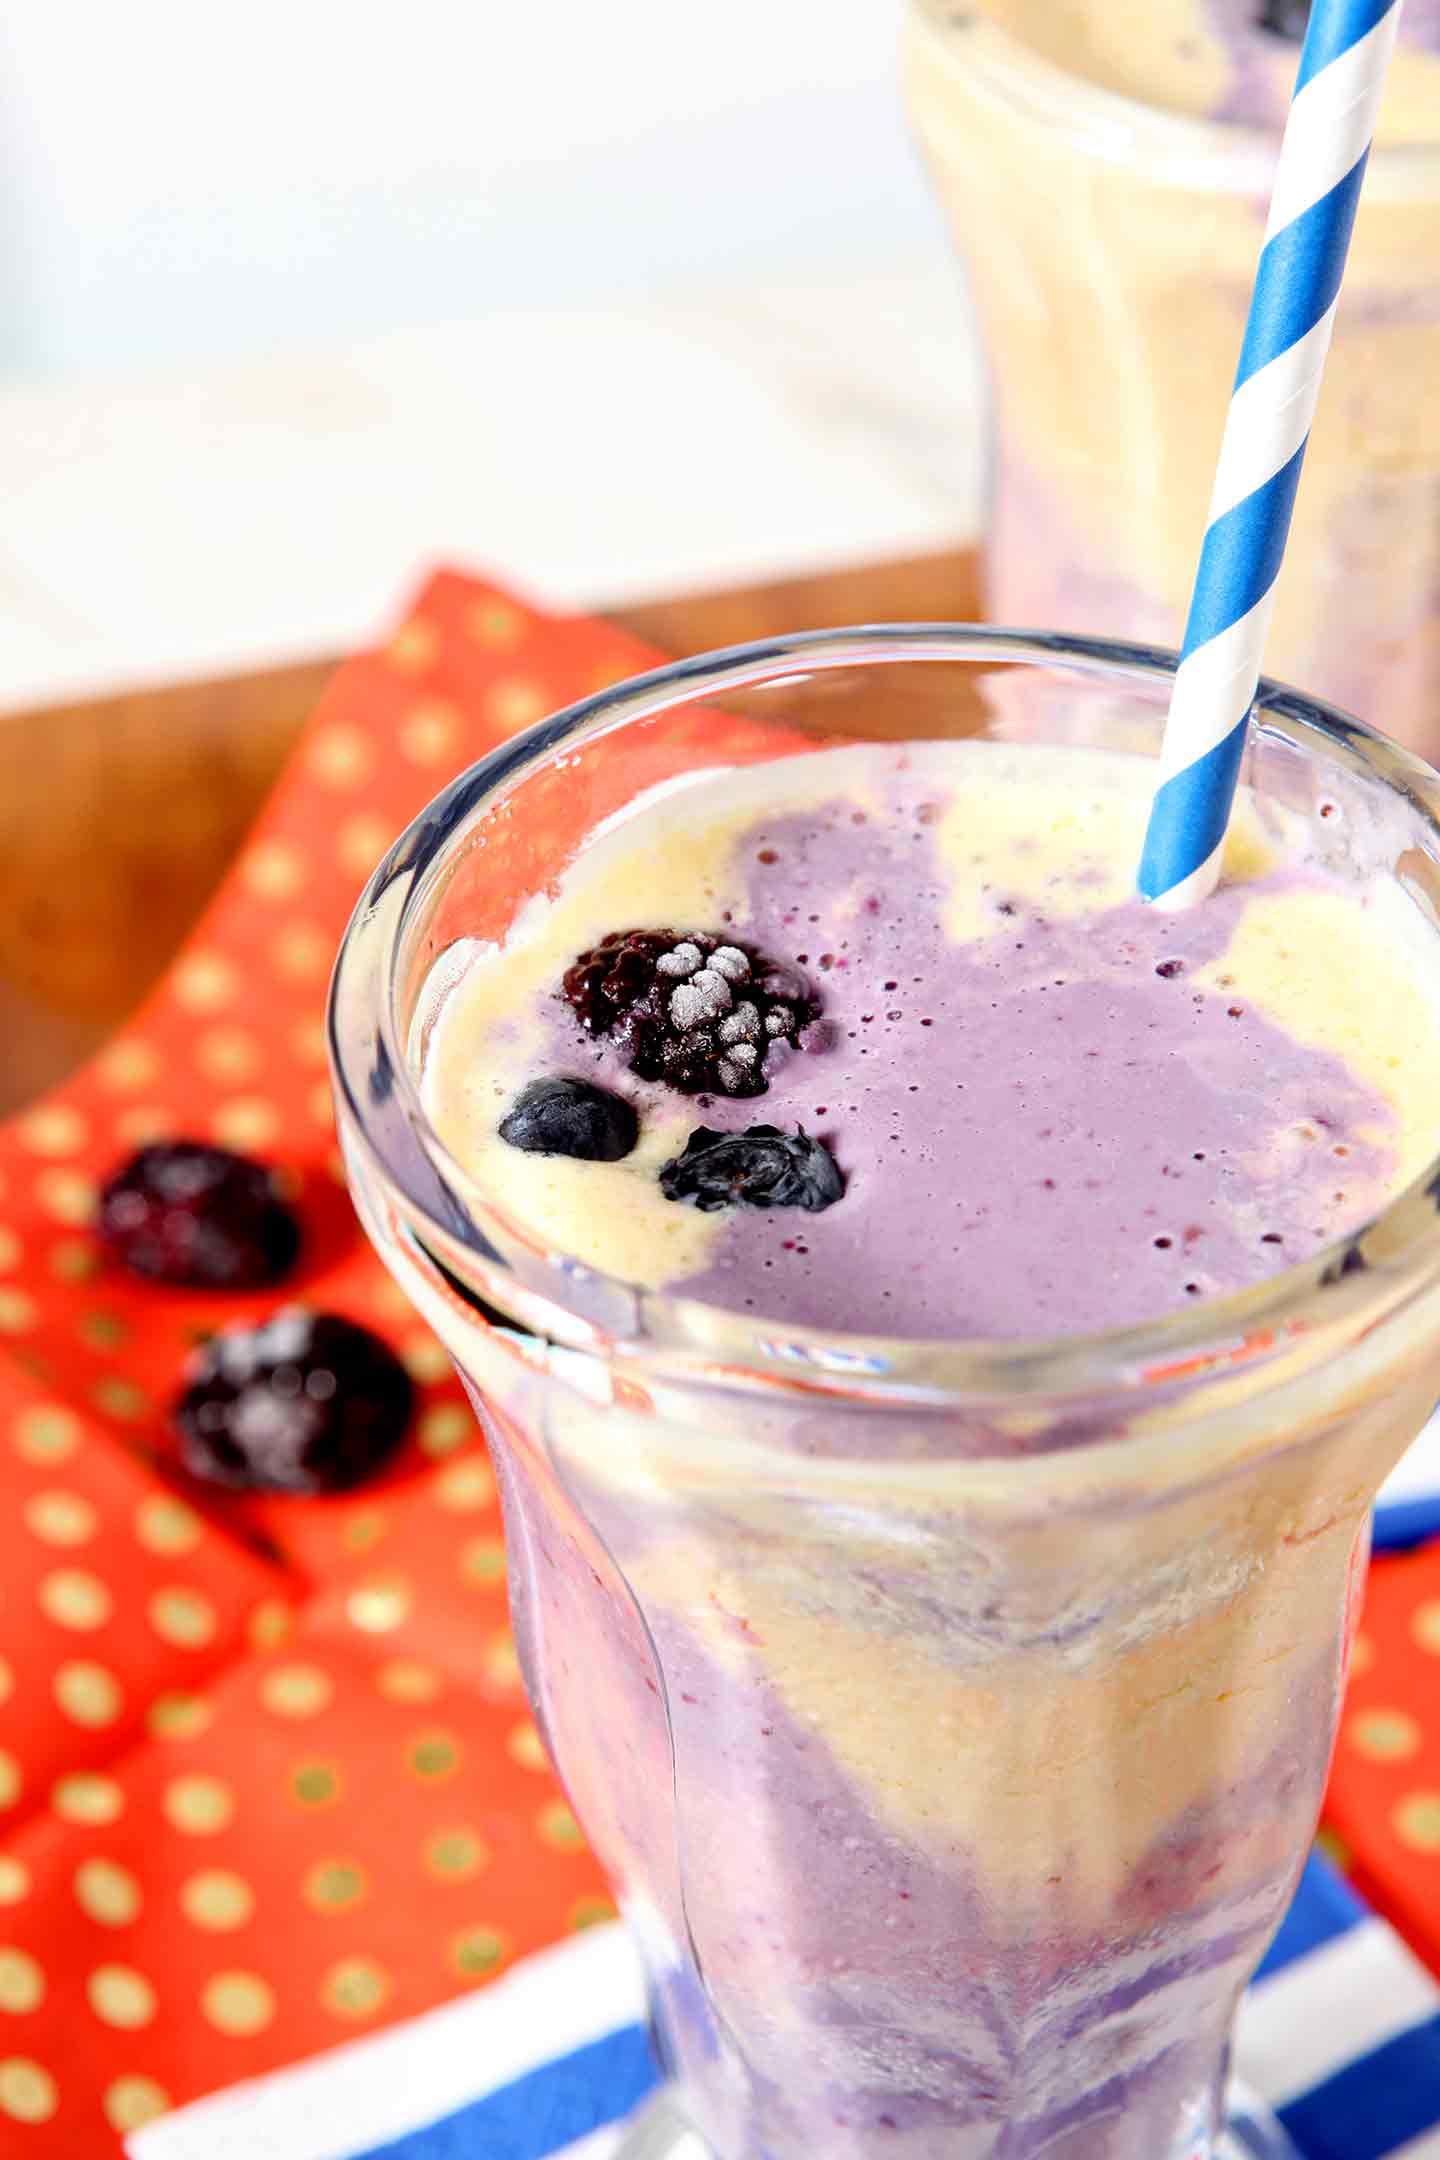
1355 1282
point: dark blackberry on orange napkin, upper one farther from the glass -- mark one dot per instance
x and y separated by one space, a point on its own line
198 1217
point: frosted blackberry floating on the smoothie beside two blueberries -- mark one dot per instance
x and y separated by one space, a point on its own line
690 1010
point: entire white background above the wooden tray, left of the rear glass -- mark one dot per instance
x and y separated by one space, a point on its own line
303 297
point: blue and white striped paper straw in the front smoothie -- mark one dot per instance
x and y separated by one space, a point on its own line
1292 314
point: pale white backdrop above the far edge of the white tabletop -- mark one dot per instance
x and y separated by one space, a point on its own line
191 183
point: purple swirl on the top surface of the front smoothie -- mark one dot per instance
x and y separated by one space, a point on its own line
1048 1131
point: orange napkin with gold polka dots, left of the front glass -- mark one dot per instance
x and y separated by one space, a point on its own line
267 1774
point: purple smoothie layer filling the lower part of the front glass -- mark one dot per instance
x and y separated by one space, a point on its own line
828 1986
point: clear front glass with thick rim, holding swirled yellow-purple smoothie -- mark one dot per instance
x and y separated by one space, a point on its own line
953 1718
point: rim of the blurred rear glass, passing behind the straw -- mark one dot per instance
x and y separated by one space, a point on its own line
1119 126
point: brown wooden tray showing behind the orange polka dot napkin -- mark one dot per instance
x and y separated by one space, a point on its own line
120 815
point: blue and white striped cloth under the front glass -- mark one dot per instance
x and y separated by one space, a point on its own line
1340 2038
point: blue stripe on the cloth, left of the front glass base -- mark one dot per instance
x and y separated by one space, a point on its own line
541 2114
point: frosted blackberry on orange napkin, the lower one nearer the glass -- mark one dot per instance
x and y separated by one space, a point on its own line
308 1403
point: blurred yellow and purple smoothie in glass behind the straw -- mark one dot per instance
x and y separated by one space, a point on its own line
1106 174
